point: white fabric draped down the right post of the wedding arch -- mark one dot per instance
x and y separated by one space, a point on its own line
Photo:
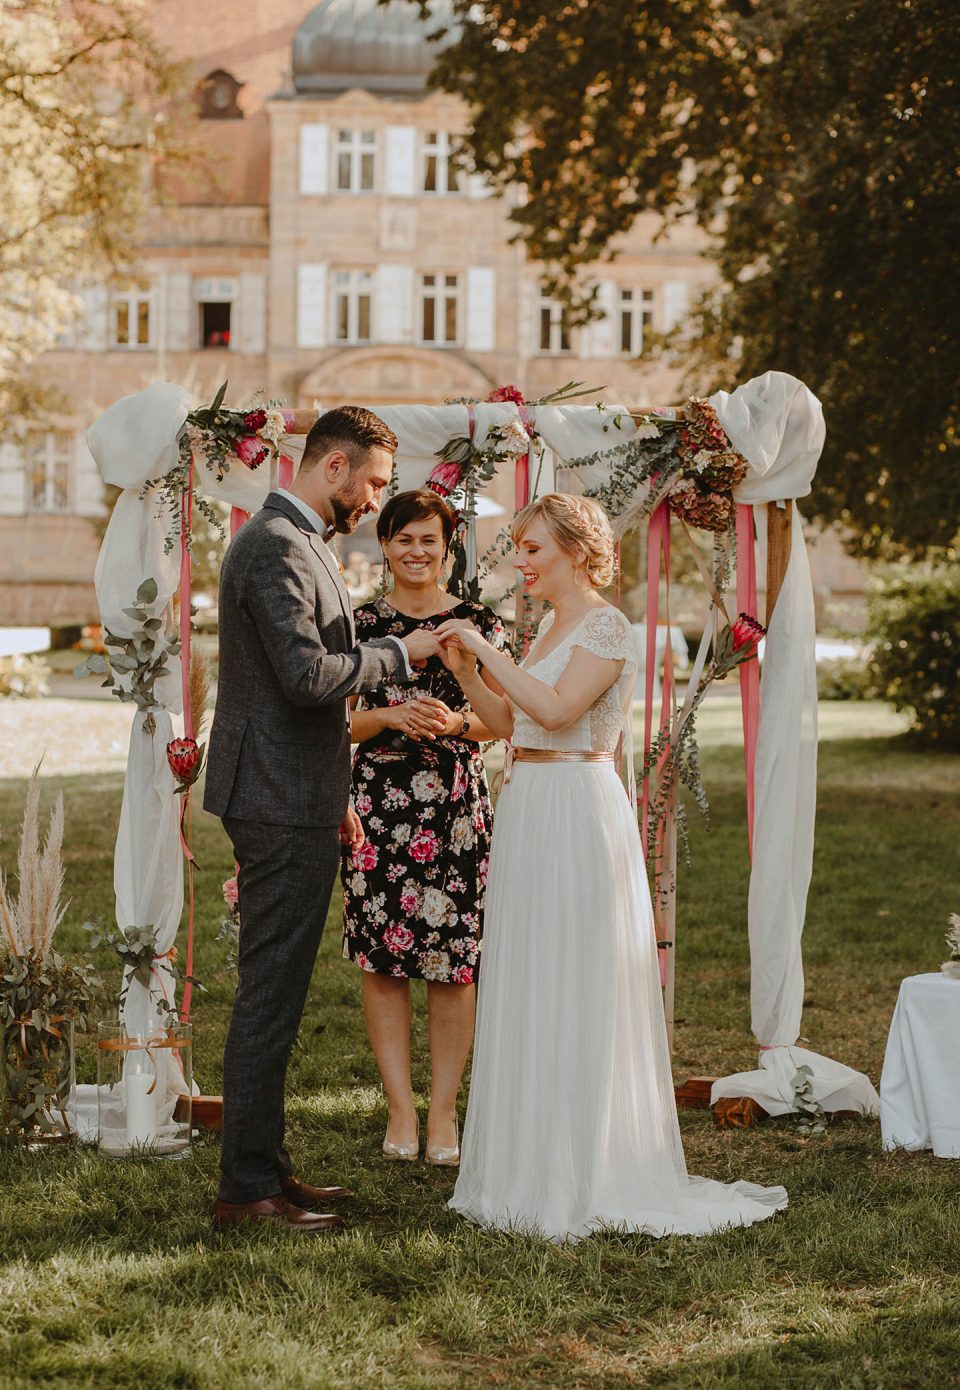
779 427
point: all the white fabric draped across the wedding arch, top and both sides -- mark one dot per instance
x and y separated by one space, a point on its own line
775 422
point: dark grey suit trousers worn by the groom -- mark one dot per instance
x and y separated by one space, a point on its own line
285 883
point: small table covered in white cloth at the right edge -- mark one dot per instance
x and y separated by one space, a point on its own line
920 1085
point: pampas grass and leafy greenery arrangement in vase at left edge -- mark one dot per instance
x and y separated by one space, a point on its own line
42 997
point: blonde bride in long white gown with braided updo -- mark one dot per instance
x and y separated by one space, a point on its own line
572 1122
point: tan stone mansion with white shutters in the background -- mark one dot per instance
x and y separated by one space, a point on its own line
326 252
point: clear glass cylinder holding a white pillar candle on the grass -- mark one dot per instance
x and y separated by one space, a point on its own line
145 1088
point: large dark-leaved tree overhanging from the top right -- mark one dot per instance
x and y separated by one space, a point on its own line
816 142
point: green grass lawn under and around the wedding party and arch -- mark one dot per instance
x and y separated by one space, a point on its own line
112 1278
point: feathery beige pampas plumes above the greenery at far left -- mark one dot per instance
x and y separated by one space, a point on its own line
31 921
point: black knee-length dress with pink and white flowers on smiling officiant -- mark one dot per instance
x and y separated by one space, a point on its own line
413 896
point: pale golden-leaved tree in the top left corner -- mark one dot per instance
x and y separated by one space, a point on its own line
87 95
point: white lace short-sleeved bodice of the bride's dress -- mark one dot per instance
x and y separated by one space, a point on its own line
606 633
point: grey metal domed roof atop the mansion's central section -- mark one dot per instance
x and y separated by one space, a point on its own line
361 44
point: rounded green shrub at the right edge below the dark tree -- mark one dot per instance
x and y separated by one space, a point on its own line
915 629
